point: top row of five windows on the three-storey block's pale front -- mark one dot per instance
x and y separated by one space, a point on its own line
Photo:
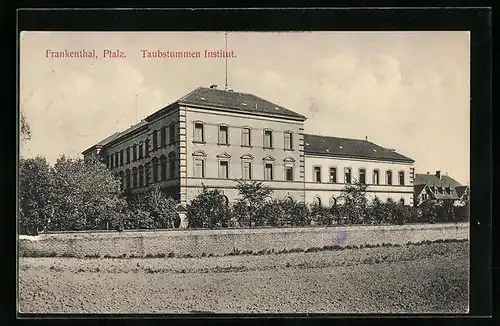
246 136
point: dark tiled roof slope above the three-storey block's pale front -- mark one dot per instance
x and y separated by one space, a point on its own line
244 102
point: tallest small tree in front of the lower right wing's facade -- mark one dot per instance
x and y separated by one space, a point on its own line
355 202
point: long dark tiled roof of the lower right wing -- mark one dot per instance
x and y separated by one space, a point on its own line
335 146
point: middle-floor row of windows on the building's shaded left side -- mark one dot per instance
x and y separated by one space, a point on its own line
158 170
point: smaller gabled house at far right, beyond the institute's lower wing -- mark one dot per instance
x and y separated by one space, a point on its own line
439 188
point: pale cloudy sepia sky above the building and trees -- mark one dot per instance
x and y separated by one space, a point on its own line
408 91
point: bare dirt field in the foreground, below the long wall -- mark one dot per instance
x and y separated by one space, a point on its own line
414 278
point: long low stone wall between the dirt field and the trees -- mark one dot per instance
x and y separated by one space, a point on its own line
222 242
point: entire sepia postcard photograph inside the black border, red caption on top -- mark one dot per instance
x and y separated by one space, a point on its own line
227 172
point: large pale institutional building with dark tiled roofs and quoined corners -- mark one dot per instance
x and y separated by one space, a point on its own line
215 137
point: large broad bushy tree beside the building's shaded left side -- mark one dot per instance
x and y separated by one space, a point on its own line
86 195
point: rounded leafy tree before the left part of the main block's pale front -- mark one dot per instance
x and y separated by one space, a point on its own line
209 209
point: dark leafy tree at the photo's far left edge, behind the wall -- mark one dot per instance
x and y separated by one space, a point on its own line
35 195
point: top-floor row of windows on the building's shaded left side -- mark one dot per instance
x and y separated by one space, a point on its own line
142 150
